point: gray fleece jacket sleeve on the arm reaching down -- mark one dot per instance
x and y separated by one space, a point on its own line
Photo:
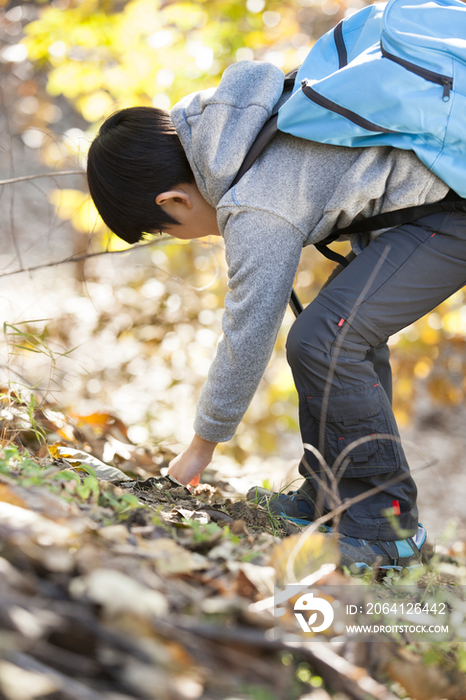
262 252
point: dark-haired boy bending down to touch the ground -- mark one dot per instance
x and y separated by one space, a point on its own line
151 171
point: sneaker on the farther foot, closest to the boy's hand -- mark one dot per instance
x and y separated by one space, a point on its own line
297 506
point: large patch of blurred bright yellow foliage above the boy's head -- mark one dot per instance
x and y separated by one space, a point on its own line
97 59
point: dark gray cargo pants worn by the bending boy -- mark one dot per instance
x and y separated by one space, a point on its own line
402 275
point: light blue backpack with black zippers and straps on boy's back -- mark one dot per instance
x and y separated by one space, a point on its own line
391 74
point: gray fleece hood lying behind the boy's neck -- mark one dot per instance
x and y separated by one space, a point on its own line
218 126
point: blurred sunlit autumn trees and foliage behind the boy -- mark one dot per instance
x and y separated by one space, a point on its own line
133 332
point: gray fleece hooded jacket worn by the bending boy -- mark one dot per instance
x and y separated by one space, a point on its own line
295 194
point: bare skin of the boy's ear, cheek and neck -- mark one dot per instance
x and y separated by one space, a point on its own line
196 217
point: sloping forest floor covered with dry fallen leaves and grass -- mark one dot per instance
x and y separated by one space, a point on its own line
117 582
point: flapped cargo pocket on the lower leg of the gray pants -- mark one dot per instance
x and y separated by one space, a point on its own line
352 415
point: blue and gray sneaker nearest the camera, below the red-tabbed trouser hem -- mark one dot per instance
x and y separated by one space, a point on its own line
362 556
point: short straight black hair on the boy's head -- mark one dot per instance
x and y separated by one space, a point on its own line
135 156
